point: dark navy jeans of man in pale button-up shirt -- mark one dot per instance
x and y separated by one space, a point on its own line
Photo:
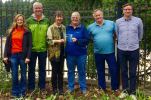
128 61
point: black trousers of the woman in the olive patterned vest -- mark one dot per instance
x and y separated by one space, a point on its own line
57 74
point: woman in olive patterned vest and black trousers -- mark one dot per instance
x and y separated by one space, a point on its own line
56 40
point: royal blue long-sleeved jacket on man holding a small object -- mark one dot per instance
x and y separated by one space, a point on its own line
79 47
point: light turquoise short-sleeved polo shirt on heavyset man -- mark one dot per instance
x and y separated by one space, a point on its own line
103 36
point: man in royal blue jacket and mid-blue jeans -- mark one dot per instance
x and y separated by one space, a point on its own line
76 51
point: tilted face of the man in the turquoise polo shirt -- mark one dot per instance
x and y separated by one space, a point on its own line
98 16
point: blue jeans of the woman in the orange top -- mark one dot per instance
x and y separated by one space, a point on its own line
18 87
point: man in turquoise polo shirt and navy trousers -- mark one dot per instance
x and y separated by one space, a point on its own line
102 33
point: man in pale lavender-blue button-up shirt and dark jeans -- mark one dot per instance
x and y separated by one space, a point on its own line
129 34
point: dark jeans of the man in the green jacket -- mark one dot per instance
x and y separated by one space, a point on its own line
41 66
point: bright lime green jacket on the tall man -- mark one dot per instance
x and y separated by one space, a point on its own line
39 33
